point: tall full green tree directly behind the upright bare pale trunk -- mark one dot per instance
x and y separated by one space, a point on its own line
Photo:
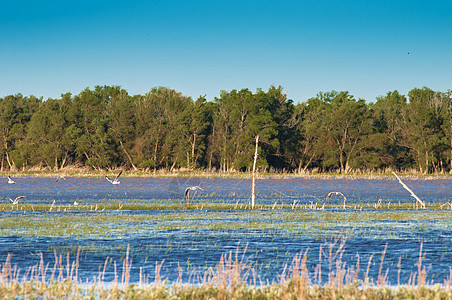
239 117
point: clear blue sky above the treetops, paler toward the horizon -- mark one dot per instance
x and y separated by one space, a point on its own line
201 47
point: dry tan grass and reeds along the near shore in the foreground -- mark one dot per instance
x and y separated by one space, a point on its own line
231 279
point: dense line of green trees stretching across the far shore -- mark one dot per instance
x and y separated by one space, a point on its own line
106 128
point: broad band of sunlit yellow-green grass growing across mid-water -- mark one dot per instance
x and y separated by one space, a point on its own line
116 220
